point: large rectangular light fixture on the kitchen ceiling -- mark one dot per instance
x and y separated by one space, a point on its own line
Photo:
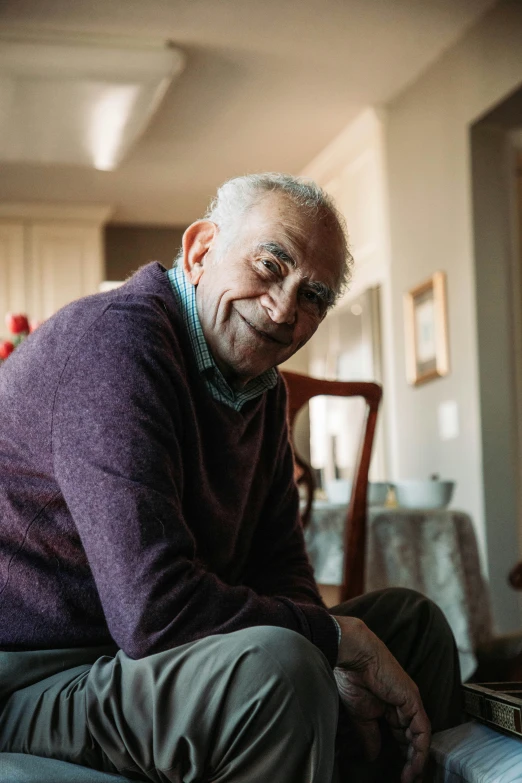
79 102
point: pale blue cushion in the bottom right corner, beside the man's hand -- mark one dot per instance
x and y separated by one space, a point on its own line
474 753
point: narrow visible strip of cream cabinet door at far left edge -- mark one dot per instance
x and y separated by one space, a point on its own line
12 271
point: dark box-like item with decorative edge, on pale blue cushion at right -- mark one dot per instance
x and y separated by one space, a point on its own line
498 704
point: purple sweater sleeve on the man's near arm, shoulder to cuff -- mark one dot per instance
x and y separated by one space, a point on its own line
117 445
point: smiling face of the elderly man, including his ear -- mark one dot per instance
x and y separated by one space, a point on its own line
264 296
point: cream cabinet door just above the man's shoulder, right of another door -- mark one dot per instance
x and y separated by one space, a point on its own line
66 263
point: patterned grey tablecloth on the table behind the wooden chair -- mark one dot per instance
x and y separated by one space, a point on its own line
432 551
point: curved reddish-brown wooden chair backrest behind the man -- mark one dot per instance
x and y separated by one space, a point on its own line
301 388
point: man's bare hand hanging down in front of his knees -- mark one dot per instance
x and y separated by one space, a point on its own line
372 684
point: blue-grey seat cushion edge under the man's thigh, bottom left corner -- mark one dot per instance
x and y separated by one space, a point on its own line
22 768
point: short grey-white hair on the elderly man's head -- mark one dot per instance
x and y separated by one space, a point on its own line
238 195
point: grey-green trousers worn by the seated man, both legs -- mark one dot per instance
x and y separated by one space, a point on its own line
254 706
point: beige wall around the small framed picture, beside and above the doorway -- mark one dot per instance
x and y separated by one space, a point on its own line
429 168
